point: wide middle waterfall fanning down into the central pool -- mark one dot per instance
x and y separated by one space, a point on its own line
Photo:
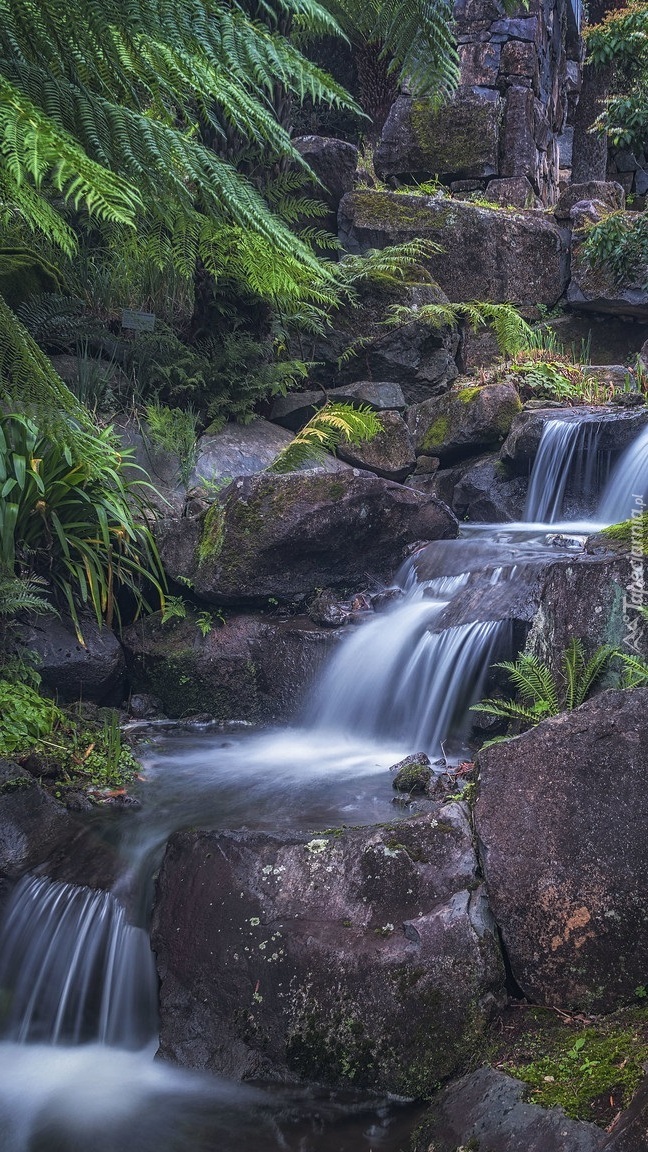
404 679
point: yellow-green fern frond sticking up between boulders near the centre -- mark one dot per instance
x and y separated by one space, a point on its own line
329 428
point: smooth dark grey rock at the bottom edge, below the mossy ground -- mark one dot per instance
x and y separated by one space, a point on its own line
487 1110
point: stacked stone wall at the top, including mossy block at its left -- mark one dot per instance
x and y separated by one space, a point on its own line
509 122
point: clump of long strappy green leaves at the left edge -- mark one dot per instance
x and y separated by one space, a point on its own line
69 516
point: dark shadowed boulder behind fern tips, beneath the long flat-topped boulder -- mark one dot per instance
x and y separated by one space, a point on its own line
415 355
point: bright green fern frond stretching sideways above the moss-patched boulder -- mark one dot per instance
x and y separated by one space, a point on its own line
511 330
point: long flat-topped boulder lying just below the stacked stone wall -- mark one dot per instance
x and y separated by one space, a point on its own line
494 255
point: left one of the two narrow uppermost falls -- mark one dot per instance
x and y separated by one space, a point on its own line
568 452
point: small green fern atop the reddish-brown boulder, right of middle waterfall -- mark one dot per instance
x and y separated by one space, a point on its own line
541 693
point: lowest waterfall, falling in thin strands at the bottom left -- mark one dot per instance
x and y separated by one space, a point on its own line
73 971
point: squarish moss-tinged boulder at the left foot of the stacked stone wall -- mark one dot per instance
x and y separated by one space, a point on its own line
458 140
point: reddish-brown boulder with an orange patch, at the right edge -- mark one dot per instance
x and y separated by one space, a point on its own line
562 818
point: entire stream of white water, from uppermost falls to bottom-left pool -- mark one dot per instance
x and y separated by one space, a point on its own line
78 987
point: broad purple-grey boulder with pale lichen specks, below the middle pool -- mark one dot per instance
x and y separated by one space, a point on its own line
358 959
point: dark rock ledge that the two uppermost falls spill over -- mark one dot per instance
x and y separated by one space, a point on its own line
619 430
